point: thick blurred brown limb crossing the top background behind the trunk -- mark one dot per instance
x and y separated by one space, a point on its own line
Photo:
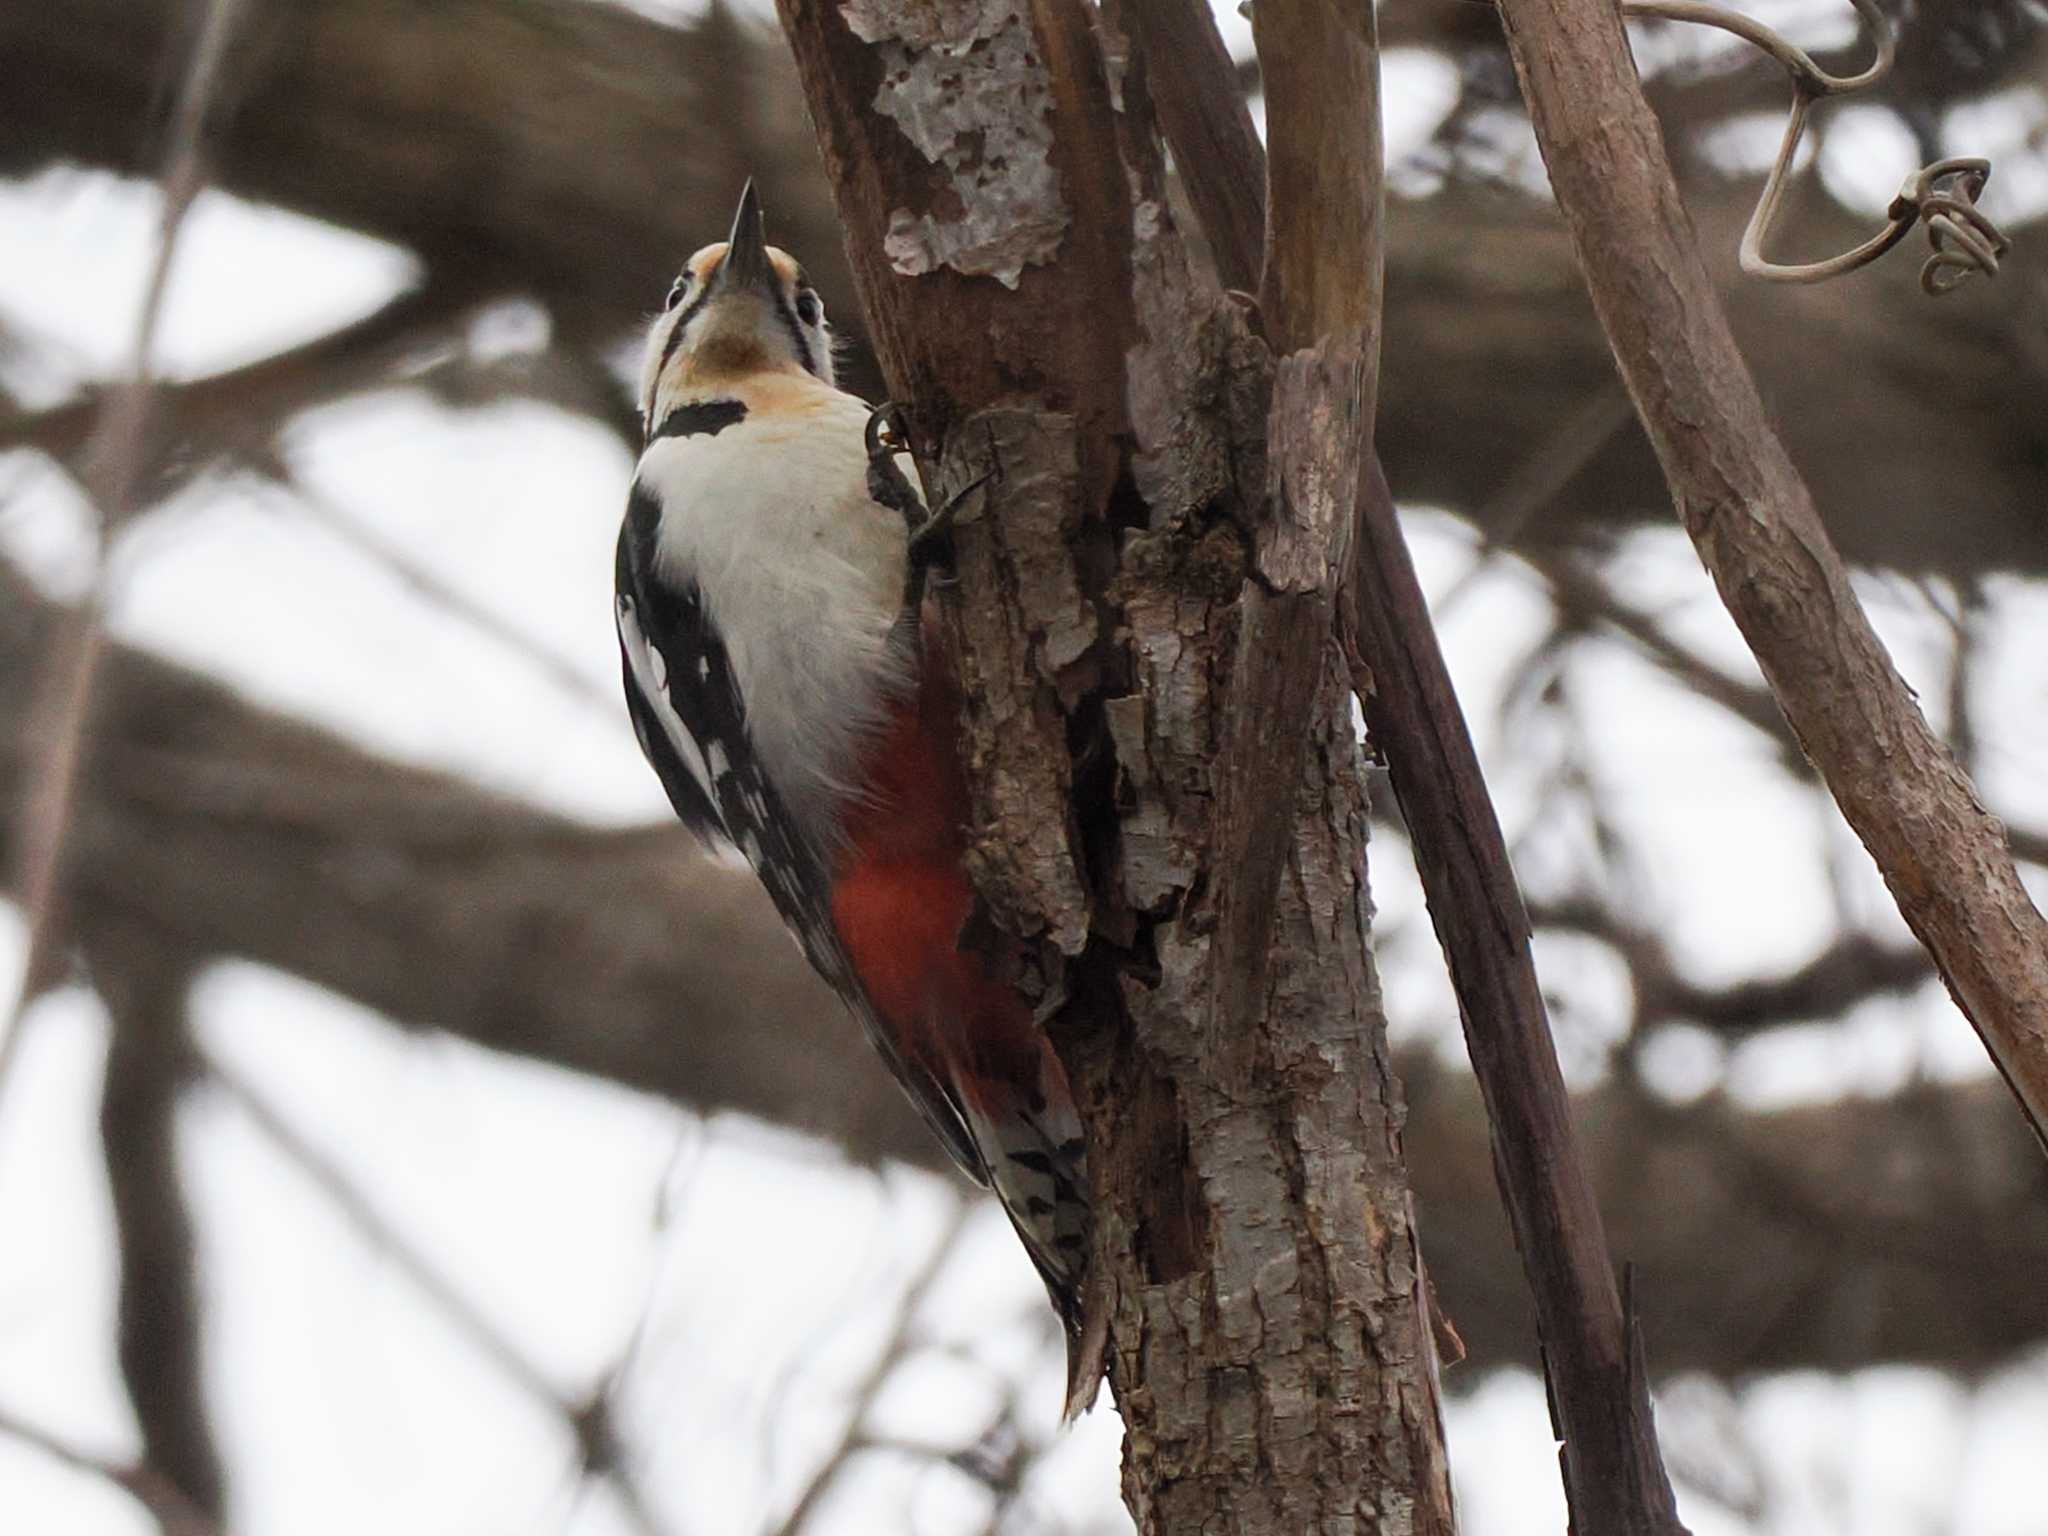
531 148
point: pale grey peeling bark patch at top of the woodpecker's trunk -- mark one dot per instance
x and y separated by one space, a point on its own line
970 89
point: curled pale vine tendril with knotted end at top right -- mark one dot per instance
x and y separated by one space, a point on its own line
1943 196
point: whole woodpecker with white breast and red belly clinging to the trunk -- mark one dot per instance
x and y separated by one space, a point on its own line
771 587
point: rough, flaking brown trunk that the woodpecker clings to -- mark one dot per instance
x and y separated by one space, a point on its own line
1254 1236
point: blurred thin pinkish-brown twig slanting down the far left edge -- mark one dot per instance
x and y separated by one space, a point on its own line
114 464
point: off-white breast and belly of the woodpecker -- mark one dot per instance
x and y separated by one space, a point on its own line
804 579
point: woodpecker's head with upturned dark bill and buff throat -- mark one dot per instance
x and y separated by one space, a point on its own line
738 308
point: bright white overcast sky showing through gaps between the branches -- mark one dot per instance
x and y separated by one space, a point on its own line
757 1273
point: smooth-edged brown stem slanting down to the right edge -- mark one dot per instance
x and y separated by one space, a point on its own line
1754 523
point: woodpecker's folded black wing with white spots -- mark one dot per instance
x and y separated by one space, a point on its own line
691 722
